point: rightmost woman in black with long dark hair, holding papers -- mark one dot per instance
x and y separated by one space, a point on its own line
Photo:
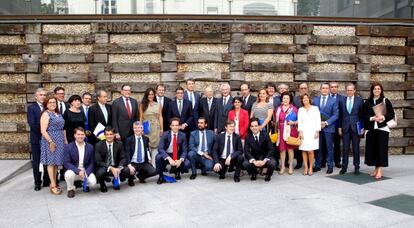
377 131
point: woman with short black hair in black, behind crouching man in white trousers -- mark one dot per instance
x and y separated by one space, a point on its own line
74 117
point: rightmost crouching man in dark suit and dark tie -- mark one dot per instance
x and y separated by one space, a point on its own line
259 152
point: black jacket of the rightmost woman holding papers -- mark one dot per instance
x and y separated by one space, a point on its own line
368 112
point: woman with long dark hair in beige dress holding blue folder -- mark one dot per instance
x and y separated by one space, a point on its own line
150 113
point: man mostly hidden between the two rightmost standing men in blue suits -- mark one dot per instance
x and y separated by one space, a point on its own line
333 87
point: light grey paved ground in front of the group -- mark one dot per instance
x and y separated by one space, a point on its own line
288 201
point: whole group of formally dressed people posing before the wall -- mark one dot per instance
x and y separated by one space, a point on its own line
194 131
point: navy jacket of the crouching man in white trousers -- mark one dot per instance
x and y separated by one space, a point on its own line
71 160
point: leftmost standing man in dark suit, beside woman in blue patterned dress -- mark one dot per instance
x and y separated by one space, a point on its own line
33 118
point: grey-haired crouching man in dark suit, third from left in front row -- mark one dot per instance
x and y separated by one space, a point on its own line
138 155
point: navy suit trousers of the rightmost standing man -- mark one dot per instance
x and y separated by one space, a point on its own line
350 137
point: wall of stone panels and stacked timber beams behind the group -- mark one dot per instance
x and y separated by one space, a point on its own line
90 56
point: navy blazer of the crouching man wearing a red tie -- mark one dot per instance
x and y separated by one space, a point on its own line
165 141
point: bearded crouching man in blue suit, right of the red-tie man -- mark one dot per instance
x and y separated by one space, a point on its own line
201 148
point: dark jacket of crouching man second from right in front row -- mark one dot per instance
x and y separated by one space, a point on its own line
219 146
